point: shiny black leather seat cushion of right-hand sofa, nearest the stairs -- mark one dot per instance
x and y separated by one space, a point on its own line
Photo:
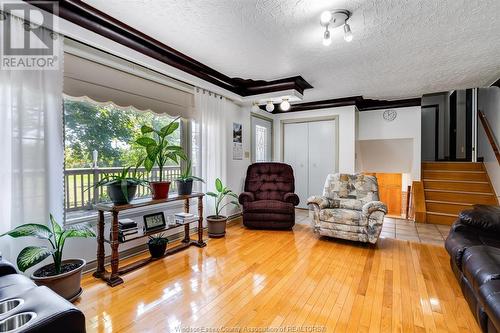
481 264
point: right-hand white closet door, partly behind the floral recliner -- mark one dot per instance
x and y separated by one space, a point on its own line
322 154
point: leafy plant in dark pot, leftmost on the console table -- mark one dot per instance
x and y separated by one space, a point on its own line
122 187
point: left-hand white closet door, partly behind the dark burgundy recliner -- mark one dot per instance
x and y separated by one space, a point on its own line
295 153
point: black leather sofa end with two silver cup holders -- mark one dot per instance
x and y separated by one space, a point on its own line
46 311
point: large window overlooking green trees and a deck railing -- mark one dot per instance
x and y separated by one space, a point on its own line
99 140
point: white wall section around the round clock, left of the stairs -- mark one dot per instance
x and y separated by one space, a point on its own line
377 136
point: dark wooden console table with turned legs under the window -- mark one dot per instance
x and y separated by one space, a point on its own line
113 278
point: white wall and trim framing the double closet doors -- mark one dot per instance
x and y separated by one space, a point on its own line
347 133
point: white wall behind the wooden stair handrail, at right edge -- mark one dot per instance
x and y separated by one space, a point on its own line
489 103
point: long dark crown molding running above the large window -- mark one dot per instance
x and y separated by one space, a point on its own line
103 24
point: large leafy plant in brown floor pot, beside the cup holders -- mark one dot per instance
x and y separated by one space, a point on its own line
62 276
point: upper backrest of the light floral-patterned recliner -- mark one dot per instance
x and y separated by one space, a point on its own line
351 186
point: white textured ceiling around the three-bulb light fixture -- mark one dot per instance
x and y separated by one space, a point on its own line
401 48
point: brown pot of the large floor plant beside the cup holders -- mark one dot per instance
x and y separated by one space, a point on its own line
67 285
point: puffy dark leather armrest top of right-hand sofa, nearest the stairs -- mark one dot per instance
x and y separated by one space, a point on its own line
485 218
